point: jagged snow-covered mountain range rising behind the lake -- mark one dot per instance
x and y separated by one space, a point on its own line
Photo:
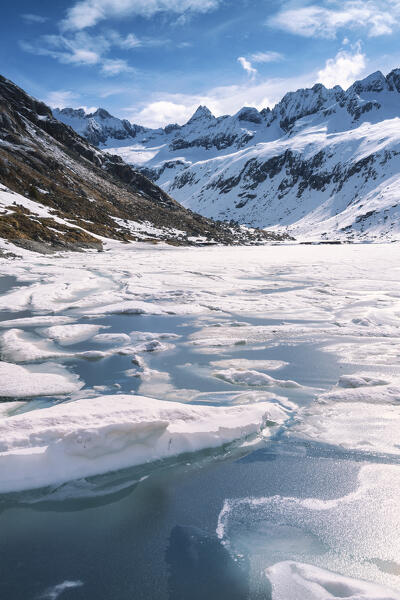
322 163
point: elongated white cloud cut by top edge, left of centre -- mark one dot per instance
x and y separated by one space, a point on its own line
87 13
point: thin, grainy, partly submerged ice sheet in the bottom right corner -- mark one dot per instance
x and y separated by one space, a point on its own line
355 535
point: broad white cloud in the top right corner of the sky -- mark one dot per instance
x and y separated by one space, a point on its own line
378 17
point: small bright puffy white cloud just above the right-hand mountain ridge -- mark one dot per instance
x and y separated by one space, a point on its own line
343 69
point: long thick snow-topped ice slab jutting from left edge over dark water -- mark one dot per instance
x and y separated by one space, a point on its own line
98 435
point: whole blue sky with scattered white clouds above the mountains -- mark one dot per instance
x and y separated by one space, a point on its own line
155 61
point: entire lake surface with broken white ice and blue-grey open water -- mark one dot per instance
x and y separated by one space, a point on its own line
201 423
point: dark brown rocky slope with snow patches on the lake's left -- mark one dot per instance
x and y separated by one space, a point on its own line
59 191
